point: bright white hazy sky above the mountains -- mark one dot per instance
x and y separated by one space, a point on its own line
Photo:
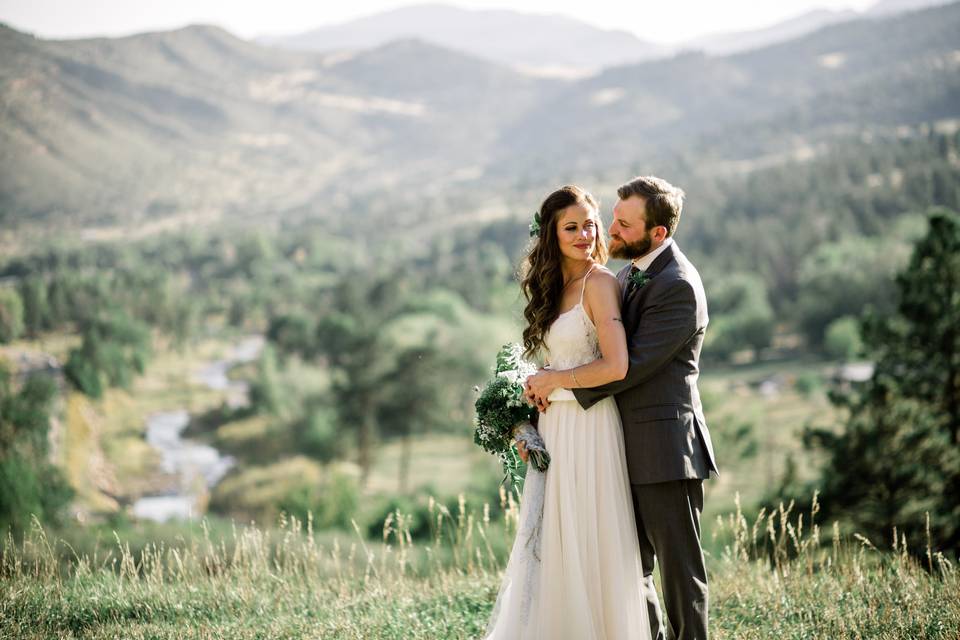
668 21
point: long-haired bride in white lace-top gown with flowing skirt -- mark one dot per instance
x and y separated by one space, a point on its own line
586 581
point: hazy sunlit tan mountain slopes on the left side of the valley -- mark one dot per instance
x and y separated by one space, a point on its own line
196 120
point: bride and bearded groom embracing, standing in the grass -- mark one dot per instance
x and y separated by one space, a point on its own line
621 417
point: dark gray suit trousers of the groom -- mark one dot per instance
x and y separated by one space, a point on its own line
668 527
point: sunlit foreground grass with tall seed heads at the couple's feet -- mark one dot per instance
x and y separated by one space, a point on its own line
776 579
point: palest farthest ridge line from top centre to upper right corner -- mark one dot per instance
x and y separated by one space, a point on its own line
540 42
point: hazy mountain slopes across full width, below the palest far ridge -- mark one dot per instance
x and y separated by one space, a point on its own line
195 125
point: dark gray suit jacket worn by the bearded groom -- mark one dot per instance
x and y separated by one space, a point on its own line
665 433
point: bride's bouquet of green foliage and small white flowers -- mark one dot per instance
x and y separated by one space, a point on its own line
503 415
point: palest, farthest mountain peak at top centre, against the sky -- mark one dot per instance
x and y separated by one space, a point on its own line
546 43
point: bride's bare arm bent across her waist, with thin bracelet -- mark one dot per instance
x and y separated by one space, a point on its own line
602 297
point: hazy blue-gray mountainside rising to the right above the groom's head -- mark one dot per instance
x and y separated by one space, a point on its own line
843 79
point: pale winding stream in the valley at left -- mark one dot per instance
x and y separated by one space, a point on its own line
197 467
